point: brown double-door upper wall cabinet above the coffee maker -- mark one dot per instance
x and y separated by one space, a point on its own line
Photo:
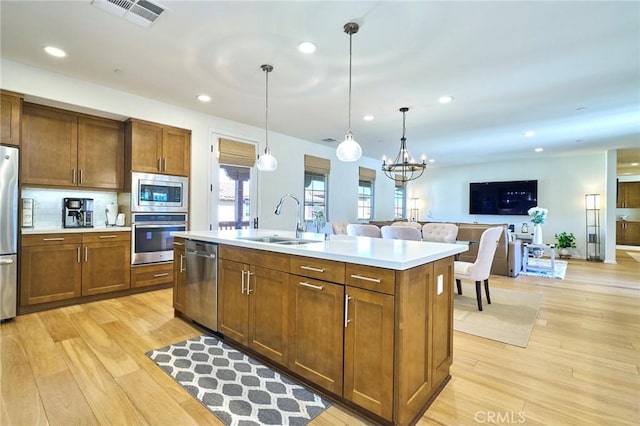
65 149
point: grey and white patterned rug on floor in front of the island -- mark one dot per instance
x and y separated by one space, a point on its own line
236 388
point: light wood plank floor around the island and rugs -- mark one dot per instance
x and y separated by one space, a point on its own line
86 364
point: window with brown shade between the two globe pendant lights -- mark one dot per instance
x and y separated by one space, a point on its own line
316 186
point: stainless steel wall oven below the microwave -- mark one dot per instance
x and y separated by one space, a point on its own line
151 240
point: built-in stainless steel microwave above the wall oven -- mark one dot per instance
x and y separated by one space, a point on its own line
159 193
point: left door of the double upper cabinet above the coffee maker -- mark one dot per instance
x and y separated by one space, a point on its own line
49 146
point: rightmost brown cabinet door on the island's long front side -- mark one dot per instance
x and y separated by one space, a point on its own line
368 351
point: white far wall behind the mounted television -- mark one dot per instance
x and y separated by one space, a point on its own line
562 185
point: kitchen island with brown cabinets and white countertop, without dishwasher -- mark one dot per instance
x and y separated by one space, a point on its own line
367 321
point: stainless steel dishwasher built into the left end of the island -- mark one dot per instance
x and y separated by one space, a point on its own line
201 287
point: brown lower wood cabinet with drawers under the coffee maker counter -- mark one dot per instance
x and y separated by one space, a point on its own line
63 266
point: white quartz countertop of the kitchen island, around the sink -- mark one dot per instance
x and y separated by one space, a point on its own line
384 253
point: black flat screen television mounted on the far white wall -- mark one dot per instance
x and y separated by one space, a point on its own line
503 198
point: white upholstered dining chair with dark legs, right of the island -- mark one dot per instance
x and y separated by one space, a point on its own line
479 270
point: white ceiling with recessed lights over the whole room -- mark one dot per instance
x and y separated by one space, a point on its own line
569 71
